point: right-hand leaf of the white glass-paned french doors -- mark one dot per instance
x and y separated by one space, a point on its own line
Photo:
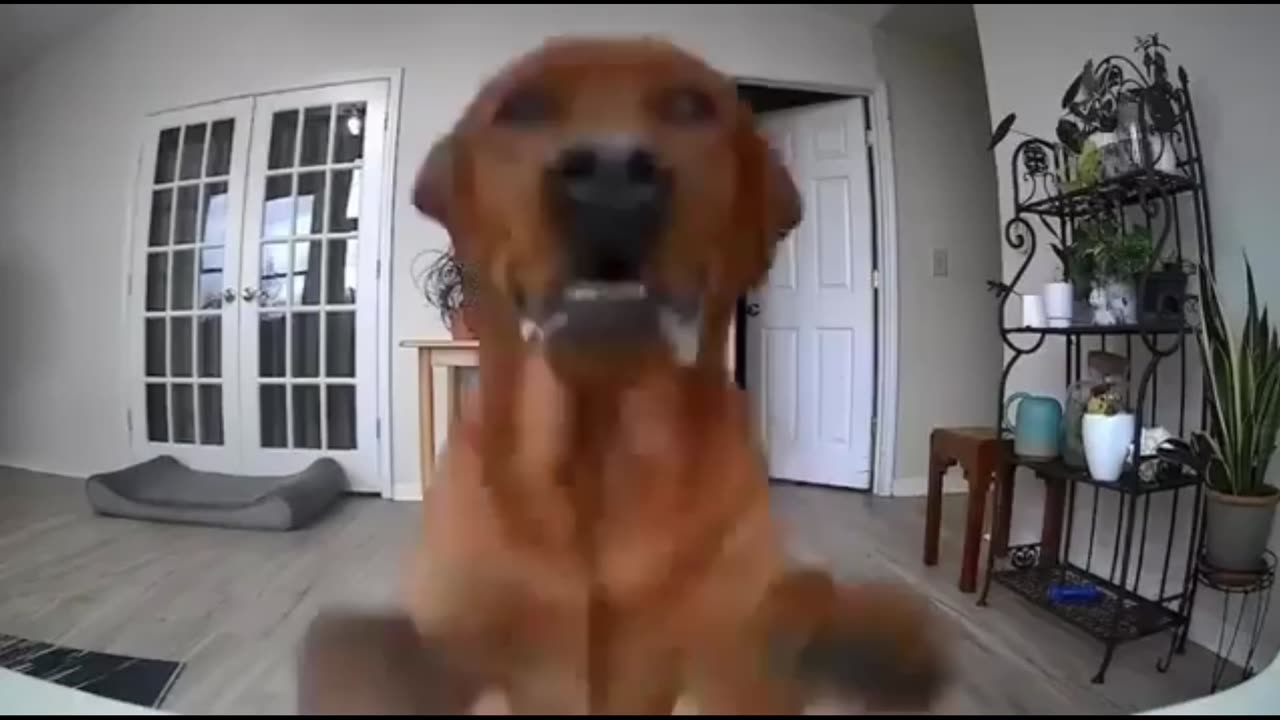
309 281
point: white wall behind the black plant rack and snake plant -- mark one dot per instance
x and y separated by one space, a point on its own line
1032 52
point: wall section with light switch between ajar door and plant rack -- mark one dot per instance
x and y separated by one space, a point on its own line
947 199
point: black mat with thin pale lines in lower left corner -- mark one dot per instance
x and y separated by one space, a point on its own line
117 677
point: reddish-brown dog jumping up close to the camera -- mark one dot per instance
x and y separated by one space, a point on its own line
600 536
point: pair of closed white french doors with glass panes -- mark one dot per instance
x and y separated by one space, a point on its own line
255 338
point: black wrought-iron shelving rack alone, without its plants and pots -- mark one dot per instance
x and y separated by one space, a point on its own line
1173 206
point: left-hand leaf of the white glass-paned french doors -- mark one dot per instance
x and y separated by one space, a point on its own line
181 286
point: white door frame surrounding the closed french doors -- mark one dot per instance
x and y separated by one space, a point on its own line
395 79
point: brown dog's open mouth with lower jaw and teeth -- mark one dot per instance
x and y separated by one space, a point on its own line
618 313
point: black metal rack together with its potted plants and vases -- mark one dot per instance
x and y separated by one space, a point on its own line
1118 200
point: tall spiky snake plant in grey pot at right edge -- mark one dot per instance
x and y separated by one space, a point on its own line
1244 376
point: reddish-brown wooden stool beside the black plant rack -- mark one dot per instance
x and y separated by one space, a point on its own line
985 459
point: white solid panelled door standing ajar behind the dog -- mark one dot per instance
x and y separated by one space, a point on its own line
811 348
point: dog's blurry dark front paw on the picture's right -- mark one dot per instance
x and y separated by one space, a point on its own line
874 645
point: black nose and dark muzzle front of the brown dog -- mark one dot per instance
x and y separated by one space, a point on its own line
614 199
